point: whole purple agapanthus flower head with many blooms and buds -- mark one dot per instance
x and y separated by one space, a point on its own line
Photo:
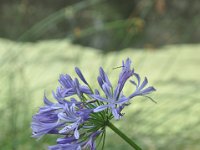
80 113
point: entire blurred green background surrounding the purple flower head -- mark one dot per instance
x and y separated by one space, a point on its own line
39 40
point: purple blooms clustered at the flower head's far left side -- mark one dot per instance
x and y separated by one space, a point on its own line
59 119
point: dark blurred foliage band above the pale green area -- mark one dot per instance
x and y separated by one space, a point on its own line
108 25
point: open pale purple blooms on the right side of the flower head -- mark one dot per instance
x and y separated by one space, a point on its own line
116 101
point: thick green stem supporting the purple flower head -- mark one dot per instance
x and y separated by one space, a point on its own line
123 136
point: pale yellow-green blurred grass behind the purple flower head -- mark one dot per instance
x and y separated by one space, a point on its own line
27 69
